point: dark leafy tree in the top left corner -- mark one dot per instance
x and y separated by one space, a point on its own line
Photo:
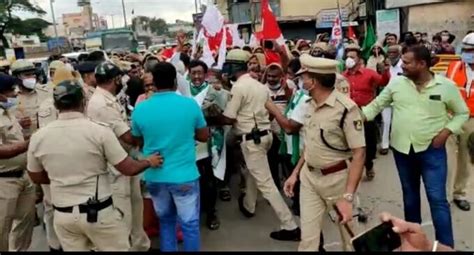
8 21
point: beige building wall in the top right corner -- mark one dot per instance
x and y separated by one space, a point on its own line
432 16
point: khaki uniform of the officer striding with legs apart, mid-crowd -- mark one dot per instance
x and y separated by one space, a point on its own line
248 97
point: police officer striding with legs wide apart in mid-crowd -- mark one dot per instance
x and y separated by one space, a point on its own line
246 112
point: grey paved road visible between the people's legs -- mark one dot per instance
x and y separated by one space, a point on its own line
383 194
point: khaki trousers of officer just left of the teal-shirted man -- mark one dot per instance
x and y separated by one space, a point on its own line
128 199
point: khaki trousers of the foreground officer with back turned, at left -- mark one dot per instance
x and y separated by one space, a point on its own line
109 233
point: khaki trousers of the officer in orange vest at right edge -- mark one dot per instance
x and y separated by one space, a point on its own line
459 162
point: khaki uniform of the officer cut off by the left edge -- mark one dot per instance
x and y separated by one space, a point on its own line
17 195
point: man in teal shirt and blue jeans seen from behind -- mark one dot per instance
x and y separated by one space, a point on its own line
168 124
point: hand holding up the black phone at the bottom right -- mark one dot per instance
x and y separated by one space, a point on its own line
412 236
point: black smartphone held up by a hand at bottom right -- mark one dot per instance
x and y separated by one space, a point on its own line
378 239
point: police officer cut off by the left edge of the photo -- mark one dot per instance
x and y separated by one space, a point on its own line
17 193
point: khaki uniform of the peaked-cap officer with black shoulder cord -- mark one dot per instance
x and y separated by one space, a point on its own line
319 192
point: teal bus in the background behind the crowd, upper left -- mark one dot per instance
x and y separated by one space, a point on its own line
111 39
